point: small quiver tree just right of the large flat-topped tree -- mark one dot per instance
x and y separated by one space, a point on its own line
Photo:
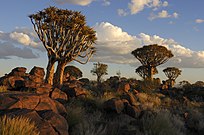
172 73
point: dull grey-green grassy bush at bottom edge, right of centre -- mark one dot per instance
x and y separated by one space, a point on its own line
163 123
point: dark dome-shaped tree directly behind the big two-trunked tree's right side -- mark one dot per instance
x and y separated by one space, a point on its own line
72 71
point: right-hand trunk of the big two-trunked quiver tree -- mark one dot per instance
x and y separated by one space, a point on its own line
60 72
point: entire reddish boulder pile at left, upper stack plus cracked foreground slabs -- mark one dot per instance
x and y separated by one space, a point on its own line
29 96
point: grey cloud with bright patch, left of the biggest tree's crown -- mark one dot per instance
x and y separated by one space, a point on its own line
21 42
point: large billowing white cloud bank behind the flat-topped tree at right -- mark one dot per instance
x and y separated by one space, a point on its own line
115 46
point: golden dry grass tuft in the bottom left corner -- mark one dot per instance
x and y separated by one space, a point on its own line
17 126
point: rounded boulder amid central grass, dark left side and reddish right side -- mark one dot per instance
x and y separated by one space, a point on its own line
113 104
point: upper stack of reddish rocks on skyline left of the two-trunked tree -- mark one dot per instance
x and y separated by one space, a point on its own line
19 80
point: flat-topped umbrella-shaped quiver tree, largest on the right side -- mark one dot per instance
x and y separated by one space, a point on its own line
152 56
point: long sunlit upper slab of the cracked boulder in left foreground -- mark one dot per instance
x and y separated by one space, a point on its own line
32 101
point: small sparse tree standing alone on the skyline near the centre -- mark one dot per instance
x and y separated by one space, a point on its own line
99 70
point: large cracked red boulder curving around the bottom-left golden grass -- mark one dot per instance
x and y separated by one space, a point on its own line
48 114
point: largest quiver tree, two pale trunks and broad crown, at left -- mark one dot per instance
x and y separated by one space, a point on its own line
65 36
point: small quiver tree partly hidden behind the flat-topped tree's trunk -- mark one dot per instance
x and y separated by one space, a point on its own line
142 71
